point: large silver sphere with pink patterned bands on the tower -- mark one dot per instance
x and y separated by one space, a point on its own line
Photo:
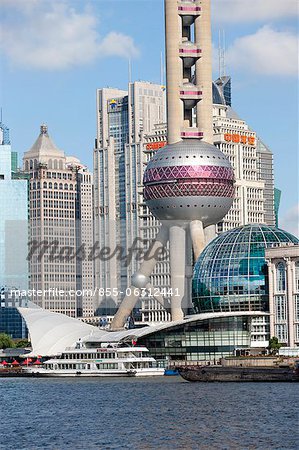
189 180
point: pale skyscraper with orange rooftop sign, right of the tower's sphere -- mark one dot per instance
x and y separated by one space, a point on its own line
251 159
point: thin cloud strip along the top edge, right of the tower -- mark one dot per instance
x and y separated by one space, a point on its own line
232 11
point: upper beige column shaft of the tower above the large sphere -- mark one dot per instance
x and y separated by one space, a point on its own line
188 70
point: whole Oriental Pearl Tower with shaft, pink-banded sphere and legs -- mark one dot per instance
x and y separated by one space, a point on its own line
188 184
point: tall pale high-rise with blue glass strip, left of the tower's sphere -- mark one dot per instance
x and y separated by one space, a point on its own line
122 117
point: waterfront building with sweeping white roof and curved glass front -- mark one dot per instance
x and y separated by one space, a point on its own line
204 338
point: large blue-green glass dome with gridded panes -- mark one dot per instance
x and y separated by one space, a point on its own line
231 272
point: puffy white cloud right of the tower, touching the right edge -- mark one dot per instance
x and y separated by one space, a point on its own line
267 52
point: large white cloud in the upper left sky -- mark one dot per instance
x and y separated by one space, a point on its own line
52 35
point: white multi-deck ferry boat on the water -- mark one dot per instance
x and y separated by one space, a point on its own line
109 360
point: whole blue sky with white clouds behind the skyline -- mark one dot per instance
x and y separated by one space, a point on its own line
56 53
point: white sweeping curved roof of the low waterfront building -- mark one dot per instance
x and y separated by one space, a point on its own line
51 333
